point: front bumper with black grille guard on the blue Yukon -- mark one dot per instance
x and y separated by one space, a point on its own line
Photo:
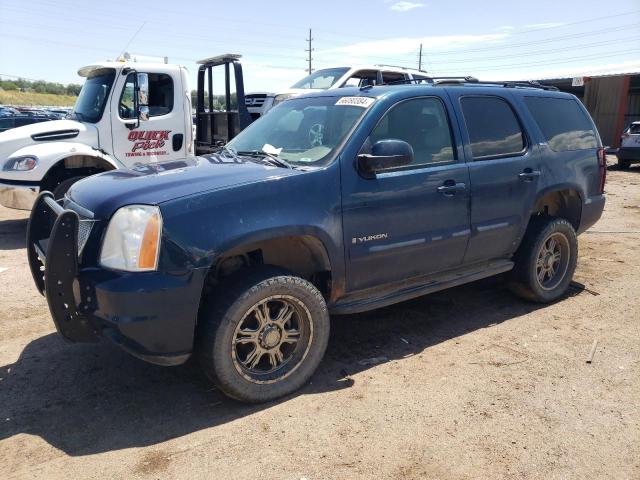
151 315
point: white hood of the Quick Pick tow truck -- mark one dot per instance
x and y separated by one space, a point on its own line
51 131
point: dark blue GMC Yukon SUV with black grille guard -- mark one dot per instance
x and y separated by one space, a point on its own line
332 203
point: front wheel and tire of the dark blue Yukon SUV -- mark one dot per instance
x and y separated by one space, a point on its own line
225 349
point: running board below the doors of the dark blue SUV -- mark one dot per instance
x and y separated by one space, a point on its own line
361 302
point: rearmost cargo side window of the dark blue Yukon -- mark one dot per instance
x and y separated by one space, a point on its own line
563 123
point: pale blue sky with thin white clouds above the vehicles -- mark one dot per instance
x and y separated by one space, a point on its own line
51 39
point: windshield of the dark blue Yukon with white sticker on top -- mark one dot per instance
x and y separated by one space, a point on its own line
304 131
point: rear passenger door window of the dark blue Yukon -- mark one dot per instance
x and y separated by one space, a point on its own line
494 130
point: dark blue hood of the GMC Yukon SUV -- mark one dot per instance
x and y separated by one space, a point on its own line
154 184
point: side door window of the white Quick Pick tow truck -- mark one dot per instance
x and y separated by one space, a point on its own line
160 96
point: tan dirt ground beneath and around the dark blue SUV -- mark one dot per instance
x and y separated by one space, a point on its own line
471 383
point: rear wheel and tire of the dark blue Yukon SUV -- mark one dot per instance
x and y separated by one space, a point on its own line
533 276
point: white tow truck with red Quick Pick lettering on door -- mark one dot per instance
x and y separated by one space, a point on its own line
127 113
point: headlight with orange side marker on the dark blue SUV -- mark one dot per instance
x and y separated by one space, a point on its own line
132 241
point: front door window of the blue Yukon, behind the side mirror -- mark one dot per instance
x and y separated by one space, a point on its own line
423 124
